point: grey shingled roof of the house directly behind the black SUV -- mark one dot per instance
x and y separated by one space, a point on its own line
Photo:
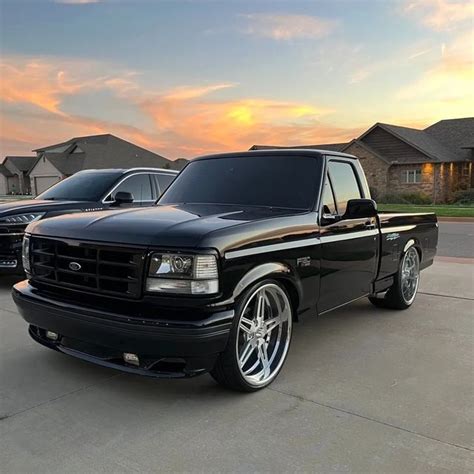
99 152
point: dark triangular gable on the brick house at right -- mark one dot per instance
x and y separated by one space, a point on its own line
392 148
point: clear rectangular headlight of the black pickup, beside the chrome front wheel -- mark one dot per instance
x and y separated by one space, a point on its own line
183 274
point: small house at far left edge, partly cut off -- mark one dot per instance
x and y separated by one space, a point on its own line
14 177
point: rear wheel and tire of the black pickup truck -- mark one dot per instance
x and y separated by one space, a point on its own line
402 293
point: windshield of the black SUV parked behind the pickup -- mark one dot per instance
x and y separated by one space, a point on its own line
81 187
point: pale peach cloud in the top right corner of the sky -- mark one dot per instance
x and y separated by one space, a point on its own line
441 14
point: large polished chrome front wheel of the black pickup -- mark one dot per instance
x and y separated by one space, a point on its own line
264 334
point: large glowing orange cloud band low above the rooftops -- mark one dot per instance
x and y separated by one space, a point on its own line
183 121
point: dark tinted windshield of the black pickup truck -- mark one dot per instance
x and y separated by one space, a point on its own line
252 180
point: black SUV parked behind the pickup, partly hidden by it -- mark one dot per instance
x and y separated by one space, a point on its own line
88 190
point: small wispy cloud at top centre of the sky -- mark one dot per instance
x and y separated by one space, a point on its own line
287 27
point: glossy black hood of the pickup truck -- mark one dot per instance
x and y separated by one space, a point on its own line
179 226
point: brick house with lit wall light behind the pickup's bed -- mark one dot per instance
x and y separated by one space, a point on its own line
436 161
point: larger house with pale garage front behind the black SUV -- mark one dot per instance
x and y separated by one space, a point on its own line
56 162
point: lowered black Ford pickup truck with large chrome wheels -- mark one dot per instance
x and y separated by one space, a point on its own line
239 247
